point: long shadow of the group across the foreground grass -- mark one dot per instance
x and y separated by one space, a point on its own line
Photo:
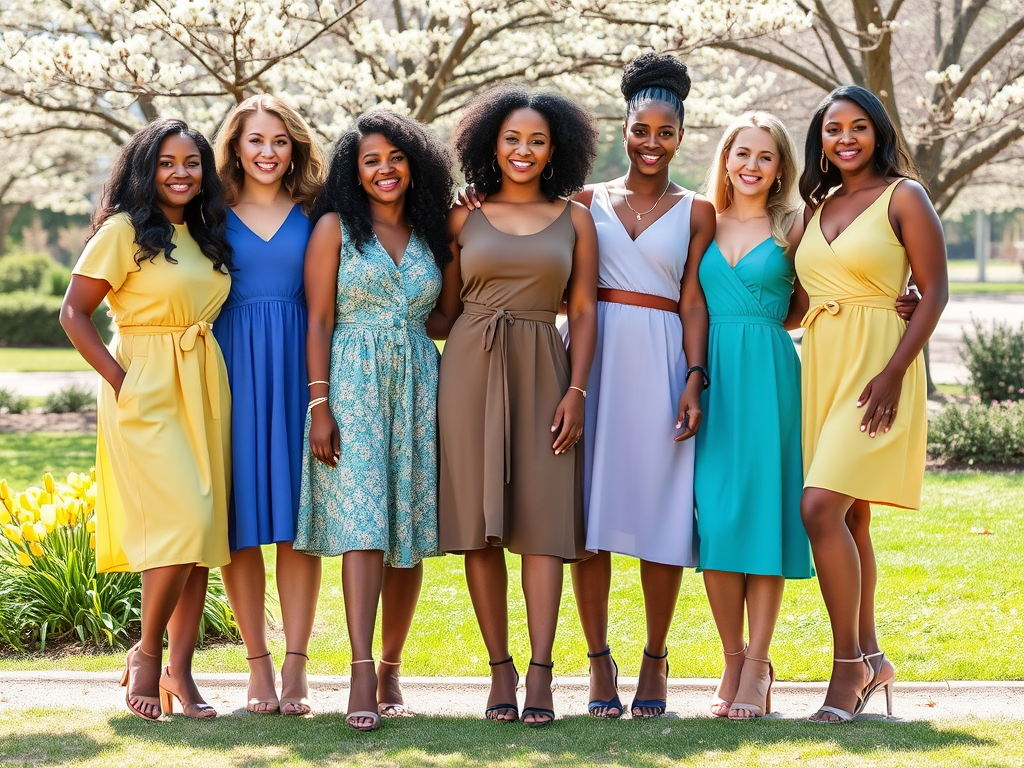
263 742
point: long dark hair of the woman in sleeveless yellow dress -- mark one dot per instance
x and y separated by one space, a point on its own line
890 157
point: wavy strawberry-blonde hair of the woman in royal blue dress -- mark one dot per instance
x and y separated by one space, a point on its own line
304 183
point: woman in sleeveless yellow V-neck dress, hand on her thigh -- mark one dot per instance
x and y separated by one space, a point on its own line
870 225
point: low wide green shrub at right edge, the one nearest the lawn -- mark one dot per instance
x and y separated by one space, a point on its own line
978 434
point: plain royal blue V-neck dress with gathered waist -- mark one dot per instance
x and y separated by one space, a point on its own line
263 332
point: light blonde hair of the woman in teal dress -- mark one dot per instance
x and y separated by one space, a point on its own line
782 202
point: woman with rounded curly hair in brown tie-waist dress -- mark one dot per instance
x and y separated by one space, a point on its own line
510 404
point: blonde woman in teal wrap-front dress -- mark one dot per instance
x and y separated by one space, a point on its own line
749 474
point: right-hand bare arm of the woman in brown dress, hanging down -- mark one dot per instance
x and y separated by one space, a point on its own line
582 313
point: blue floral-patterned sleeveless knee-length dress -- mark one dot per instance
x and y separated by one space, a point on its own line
382 495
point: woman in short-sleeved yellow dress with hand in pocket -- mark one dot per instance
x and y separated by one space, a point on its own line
159 255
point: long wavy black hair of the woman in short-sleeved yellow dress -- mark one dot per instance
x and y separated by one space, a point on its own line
133 190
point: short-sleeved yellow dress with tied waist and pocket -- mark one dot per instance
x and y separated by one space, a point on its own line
163 447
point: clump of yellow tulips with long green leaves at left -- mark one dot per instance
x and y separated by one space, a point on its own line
50 588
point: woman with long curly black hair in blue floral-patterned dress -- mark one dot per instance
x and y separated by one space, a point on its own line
370 465
